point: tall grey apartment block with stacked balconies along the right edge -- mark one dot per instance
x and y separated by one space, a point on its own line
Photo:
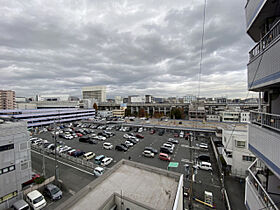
263 182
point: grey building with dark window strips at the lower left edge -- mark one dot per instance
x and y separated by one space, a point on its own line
15 160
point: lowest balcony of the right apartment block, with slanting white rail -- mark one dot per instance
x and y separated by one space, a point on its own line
256 197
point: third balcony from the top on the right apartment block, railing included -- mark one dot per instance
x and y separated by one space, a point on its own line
264 139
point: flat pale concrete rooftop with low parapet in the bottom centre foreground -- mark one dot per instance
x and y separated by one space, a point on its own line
130 185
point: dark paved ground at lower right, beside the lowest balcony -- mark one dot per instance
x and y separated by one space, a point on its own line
236 192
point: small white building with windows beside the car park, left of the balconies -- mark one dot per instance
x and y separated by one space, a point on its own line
235 150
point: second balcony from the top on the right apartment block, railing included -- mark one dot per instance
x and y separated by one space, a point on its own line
264 64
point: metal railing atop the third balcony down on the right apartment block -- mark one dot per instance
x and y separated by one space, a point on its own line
271 121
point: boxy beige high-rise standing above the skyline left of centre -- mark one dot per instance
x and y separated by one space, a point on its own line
94 92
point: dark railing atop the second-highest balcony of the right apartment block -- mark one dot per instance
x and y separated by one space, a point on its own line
265 41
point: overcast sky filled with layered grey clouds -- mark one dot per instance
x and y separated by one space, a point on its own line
132 47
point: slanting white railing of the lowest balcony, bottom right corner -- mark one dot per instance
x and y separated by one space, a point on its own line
267 201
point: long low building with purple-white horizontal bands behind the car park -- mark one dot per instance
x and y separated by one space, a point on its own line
40 117
